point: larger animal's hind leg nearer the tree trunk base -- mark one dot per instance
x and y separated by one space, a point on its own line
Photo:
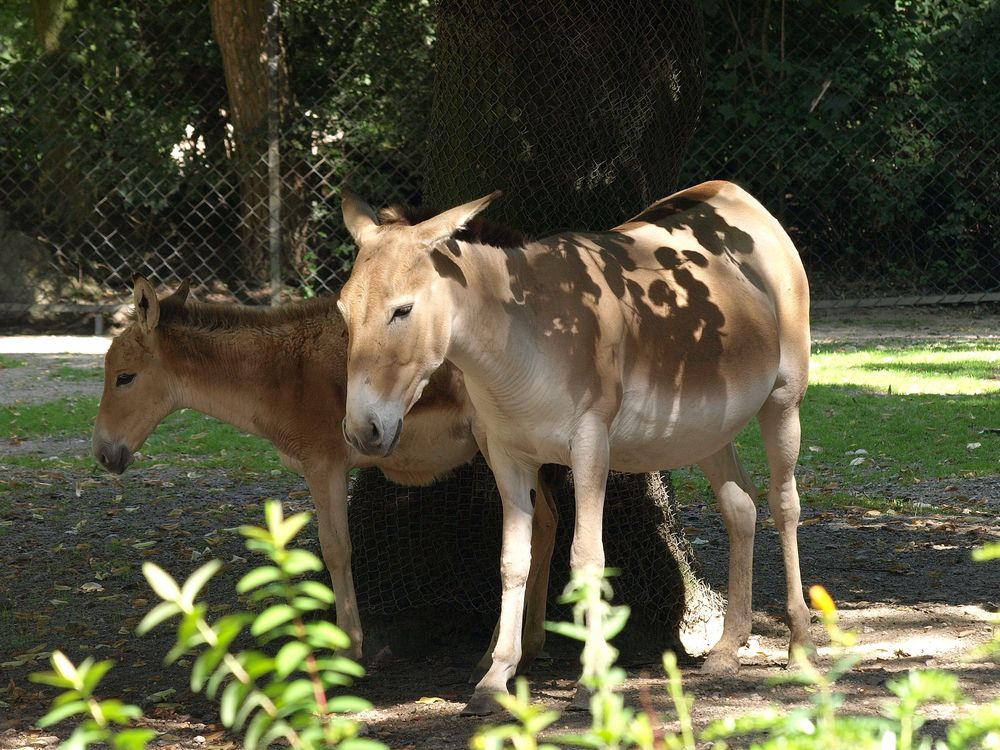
735 493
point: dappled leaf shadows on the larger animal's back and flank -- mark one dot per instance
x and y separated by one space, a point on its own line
673 300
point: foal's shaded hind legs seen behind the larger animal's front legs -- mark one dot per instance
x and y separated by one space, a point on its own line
543 528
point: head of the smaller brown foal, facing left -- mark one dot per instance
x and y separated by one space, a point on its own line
137 391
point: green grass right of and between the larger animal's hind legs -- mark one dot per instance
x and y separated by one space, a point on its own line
917 413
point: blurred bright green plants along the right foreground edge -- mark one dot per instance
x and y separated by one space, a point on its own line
823 725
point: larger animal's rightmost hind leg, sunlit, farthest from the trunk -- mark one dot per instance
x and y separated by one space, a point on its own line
779 421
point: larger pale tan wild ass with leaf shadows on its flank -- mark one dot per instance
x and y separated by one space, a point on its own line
645 347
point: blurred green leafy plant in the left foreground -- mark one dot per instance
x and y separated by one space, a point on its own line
286 693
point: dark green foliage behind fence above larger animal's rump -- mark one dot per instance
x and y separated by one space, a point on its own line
859 125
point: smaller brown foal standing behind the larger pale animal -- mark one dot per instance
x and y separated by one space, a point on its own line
281 373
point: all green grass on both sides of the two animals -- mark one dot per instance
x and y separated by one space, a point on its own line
914 410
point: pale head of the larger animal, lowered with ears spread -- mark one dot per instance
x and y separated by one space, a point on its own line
398 316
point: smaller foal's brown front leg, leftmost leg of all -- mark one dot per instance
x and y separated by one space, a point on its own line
328 485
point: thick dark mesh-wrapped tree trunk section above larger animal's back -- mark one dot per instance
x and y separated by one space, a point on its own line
581 112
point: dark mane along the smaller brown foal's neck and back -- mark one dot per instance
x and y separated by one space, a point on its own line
213 316
